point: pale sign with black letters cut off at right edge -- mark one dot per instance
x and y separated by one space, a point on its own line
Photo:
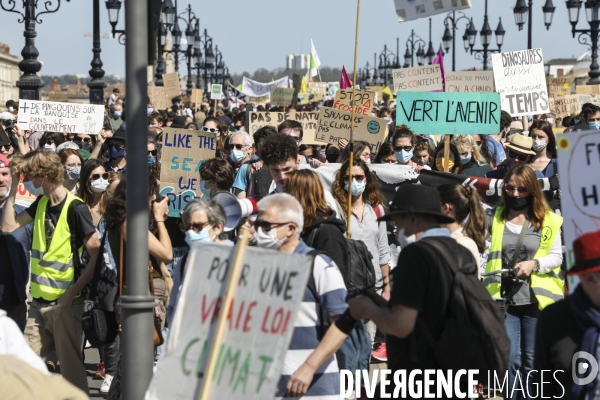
578 166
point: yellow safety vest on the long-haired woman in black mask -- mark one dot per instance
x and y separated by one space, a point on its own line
547 288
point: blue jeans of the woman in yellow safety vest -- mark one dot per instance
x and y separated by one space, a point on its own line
520 325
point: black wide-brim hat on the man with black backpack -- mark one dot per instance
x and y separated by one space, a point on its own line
417 199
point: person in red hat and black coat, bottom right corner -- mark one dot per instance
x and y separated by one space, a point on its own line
572 325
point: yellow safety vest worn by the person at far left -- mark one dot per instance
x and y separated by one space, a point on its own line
52 270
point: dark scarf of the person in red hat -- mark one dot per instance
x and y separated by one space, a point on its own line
587 317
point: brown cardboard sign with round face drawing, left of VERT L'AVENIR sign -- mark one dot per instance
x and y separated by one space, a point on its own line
334 125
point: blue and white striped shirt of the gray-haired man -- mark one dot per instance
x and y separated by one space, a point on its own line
310 326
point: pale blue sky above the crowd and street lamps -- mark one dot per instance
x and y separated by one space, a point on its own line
259 33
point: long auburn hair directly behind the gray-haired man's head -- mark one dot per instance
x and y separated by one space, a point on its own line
306 187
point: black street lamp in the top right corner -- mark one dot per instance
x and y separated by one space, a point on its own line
592 14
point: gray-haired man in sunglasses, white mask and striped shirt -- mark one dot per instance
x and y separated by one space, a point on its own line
310 366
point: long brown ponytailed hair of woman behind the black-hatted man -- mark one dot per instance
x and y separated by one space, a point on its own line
466 209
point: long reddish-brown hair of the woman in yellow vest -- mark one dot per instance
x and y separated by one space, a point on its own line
539 206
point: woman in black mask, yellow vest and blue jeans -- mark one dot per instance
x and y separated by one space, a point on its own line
537 261
